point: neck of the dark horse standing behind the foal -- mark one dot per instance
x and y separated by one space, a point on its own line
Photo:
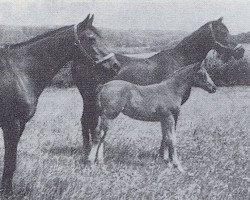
193 48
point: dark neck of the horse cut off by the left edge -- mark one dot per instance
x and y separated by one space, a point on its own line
47 57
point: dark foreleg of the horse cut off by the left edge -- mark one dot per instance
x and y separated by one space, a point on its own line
12 132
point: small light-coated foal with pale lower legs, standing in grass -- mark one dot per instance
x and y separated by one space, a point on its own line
156 103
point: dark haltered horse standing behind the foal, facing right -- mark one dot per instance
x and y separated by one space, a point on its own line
192 49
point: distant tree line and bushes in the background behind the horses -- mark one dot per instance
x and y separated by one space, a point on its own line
235 72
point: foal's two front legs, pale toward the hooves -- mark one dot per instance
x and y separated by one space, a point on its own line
169 141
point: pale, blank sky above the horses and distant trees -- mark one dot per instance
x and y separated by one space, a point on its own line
185 15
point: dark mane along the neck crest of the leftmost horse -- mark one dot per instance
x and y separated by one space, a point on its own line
38 37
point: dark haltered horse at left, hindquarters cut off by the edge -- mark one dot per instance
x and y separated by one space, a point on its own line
27 68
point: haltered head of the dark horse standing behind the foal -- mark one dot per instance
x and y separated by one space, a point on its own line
222 41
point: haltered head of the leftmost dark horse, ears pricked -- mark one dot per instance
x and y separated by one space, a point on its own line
91 47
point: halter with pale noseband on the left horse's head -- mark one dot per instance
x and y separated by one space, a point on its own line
83 50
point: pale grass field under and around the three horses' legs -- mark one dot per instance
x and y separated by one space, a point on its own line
213 144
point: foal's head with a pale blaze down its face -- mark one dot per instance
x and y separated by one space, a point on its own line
202 79
